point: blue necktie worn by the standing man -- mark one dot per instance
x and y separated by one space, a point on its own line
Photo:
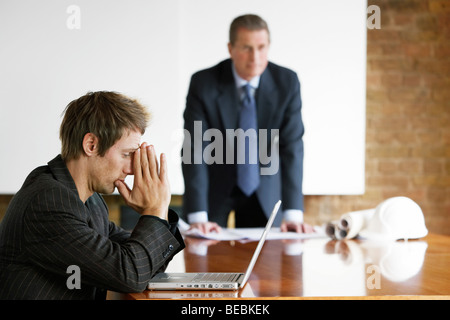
248 173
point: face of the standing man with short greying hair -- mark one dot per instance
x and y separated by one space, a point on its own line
249 52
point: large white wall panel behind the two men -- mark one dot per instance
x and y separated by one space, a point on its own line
149 49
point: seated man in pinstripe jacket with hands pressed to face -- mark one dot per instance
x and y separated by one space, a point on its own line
58 221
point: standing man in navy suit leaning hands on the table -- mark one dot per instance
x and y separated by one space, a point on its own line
250 93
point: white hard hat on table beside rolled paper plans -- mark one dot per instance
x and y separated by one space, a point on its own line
396 218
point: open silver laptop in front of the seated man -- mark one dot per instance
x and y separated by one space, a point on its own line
209 280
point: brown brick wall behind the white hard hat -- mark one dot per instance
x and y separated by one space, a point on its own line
407 115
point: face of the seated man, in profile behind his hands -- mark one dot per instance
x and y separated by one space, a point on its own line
116 164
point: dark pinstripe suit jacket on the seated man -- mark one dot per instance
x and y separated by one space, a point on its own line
47 228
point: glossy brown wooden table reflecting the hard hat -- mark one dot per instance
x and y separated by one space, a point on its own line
320 269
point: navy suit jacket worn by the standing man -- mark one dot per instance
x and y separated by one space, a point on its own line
213 99
